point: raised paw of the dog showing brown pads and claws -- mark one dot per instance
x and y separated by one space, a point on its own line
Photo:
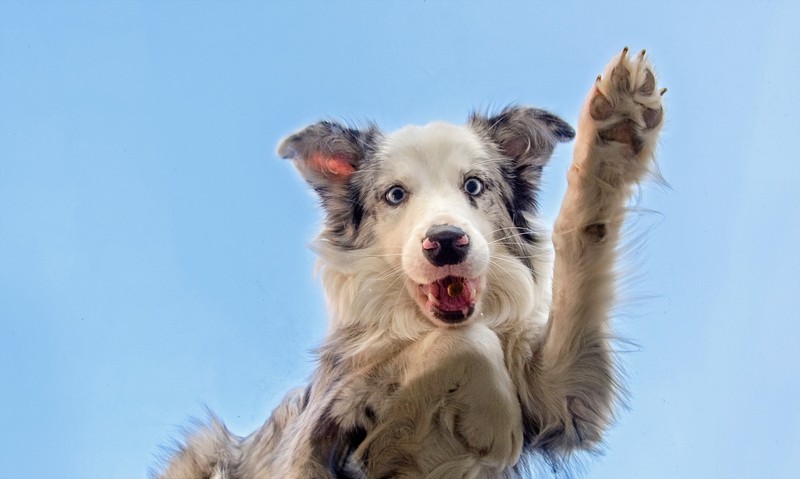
624 114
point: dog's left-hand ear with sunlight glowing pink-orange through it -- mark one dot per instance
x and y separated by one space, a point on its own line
327 153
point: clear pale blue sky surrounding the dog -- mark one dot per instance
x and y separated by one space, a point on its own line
153 254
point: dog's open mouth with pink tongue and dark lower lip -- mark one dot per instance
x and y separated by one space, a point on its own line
450 299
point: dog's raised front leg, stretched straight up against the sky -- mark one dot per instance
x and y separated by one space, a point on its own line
617 135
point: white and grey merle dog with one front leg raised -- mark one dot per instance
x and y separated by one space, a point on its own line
465 341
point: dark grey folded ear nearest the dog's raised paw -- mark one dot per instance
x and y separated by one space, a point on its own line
527 135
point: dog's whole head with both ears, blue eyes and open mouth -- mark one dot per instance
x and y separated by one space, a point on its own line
439 203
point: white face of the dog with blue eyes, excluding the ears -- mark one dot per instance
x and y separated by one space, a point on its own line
436 183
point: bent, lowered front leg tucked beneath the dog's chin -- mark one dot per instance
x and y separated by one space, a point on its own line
458 380
